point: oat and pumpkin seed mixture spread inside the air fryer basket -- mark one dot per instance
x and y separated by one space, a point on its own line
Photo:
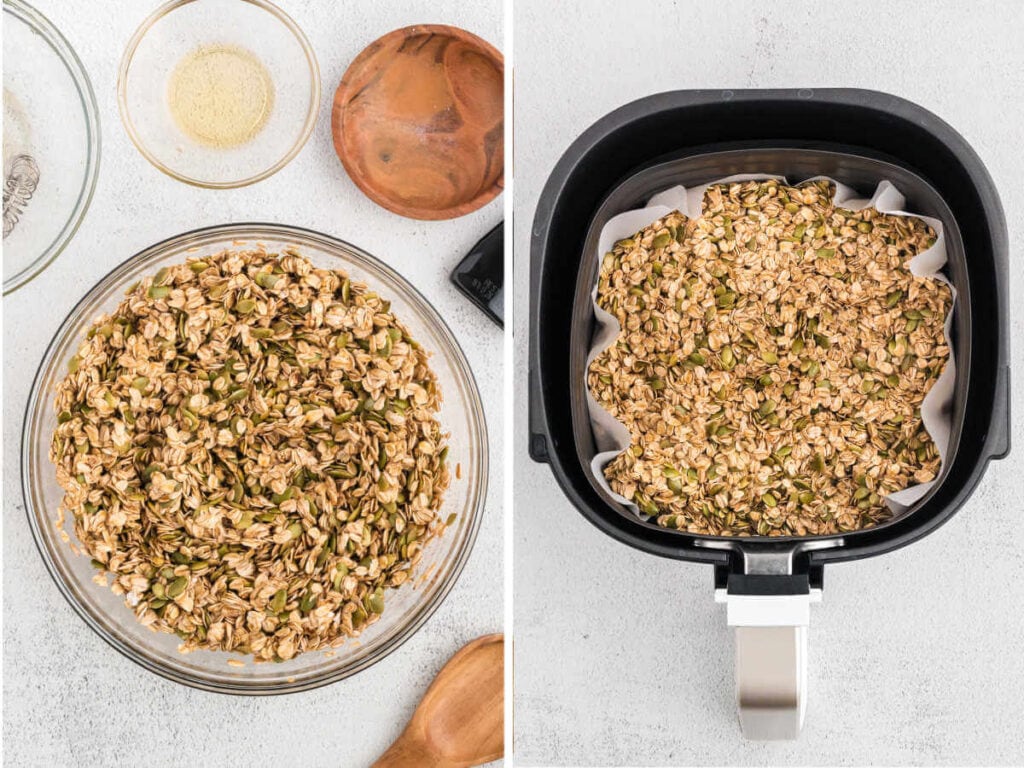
773 362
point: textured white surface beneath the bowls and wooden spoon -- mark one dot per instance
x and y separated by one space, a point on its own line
72 701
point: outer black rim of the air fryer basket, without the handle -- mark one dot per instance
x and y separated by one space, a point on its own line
549 446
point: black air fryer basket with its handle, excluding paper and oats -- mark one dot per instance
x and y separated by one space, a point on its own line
692 138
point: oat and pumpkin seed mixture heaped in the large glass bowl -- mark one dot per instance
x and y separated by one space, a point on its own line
249 447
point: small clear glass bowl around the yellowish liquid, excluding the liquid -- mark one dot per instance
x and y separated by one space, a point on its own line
179 29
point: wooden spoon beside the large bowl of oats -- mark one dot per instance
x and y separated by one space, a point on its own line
460 722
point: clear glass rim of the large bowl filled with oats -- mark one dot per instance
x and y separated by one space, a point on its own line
84 311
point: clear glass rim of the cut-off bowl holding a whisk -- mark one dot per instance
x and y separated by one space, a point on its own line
41 25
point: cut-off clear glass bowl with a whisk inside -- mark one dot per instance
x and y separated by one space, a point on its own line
52 143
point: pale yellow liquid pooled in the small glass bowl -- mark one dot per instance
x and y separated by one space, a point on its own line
221 96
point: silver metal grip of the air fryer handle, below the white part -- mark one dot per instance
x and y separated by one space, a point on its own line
772 681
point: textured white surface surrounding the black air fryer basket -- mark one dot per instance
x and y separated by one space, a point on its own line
622 658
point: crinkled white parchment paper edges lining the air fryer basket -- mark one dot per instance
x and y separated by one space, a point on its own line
612 438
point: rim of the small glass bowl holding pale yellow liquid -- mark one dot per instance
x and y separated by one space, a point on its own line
308 126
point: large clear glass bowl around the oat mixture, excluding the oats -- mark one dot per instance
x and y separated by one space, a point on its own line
407 608
